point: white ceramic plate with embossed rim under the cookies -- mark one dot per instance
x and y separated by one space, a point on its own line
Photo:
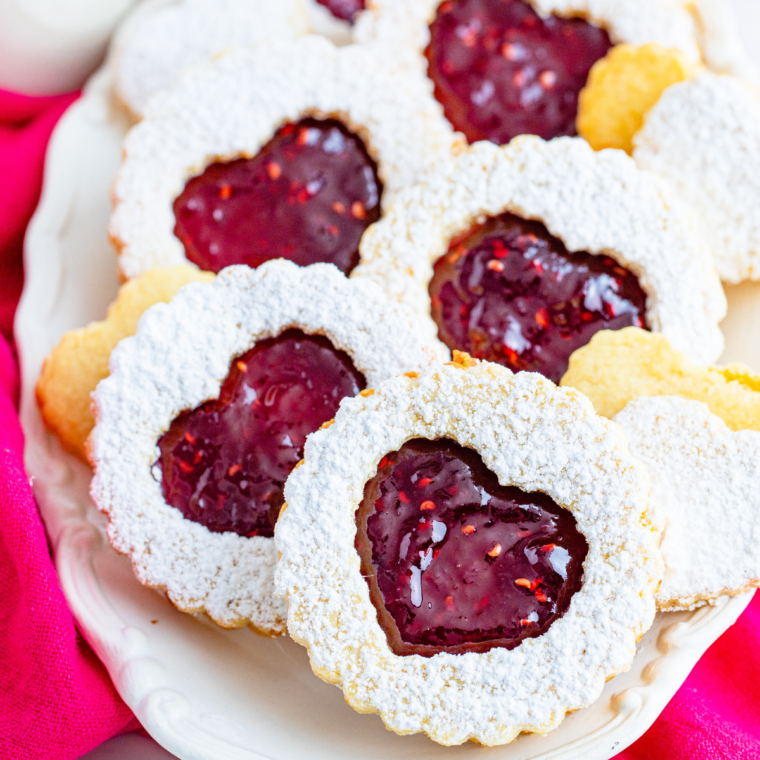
209 694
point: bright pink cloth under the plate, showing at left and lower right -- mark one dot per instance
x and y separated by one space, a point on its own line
56 700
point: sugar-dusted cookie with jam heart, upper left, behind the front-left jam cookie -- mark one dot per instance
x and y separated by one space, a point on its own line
293 152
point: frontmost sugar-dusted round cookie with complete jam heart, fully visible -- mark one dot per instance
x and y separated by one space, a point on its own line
468 553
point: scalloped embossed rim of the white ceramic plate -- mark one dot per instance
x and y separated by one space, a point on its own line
75 527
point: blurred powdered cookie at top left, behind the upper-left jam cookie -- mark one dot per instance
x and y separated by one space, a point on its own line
177 36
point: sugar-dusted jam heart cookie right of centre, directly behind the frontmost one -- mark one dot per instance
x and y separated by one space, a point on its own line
520 254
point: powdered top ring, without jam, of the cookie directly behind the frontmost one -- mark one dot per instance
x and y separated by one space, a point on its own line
596 202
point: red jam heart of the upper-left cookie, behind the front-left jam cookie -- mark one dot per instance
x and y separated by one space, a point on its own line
307 196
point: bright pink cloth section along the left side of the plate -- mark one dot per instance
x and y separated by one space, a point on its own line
56 699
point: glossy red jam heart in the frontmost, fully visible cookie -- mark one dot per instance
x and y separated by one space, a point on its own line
456 562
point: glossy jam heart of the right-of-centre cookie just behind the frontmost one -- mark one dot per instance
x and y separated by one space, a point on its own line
511 293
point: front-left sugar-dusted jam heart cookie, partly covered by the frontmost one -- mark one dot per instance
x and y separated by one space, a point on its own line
206 412
